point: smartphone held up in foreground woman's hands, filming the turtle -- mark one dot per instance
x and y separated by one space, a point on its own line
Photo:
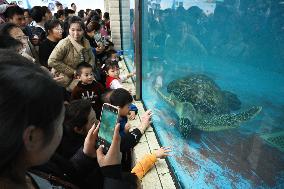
109 118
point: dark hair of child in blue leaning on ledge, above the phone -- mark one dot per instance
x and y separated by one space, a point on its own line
120 97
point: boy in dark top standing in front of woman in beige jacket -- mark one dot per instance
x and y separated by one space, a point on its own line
88 88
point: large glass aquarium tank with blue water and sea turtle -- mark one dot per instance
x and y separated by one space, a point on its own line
213 74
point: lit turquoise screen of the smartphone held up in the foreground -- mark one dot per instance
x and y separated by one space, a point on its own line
108 122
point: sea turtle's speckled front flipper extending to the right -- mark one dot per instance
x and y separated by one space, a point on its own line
227 121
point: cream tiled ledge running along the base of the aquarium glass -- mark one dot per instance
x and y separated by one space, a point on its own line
159 176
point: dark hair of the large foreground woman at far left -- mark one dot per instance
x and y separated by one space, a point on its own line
28 96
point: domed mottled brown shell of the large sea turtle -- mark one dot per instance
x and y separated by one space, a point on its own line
201 91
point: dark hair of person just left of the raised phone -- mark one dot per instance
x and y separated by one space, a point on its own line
76 114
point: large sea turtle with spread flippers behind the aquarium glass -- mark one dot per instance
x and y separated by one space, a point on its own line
200 103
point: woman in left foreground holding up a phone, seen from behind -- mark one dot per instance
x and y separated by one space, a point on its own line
31 115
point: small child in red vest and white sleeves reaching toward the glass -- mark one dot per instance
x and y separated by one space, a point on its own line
114 79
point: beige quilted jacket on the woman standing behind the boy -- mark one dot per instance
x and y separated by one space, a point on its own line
67 55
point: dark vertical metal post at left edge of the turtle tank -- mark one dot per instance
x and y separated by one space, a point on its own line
138 47
